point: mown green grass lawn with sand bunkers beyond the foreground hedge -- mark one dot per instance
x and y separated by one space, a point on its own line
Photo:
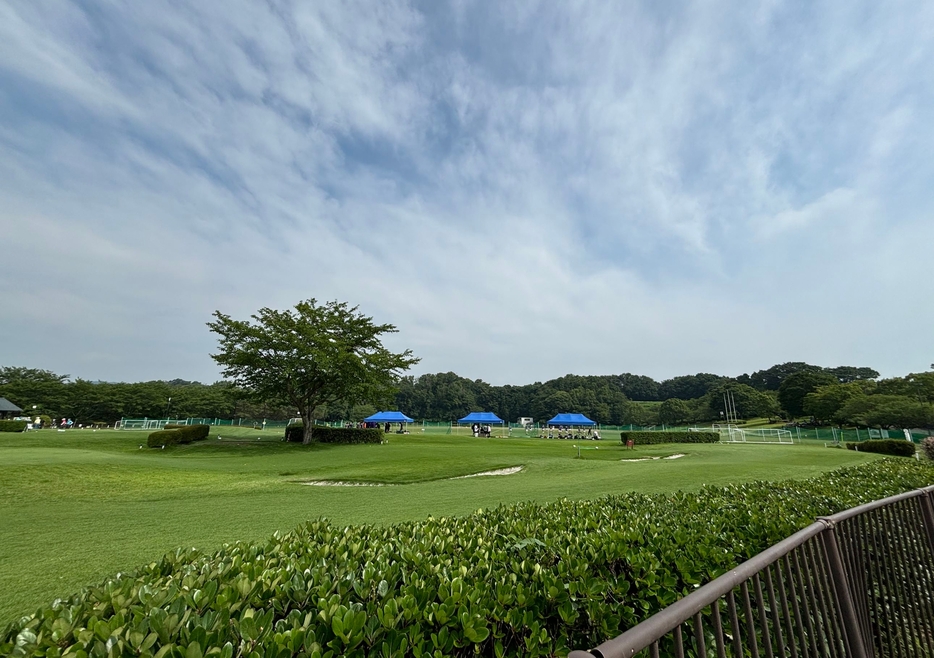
76 506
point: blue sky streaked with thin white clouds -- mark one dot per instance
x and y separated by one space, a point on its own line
524 189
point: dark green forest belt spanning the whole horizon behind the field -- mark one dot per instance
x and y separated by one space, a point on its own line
842 395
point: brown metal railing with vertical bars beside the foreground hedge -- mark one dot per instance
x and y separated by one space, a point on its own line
859 583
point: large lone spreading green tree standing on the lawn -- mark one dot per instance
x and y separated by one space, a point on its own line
316 355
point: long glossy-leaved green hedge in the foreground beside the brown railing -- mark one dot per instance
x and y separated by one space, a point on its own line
530 580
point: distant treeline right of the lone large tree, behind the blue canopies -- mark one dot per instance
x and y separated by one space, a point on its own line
842 395
